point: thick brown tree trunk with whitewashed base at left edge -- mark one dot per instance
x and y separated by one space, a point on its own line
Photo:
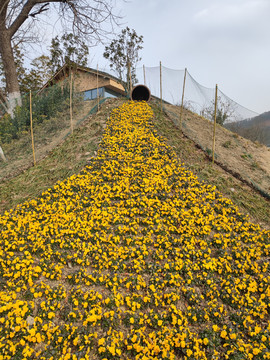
13 89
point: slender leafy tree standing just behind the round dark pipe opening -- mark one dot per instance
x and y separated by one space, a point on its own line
123 52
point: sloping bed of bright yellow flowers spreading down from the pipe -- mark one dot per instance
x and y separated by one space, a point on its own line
133 258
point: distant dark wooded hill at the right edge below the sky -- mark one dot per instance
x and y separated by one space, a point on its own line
255 129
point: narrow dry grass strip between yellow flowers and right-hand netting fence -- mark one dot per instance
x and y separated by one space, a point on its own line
249 201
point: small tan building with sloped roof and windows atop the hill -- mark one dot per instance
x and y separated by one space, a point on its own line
87 81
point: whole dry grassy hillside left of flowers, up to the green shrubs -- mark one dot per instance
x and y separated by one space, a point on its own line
58 153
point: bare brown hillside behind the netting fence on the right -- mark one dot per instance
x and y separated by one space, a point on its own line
241 157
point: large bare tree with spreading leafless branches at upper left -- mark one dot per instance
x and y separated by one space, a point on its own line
85 17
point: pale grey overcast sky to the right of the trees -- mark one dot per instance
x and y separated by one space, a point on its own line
219 41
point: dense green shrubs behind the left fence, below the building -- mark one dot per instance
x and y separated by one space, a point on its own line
44 106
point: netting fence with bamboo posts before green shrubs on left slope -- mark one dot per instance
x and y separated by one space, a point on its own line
42 122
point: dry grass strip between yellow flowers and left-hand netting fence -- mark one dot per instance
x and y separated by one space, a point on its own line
66 159
